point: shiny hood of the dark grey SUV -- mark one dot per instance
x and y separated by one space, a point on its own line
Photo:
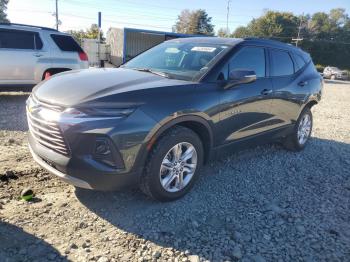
82 86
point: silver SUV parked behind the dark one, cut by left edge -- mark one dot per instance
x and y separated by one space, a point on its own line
29 54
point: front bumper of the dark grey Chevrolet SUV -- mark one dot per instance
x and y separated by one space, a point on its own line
80 165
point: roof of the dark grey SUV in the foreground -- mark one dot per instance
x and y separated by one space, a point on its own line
235 41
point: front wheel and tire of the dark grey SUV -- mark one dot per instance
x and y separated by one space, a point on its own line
162 156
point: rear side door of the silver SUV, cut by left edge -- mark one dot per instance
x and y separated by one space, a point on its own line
18 57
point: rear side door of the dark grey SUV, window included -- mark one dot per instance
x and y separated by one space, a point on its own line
287 81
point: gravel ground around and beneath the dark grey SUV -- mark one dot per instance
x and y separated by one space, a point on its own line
262 204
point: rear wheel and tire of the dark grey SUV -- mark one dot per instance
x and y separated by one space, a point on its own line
294 142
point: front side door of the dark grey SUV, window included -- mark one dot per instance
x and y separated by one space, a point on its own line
245 109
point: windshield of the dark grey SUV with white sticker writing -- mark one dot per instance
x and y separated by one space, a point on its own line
184 61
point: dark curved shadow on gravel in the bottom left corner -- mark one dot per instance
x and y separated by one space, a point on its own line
18 245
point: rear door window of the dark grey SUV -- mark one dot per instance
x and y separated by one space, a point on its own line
282 63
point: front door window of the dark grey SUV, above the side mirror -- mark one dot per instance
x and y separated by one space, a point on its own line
252 58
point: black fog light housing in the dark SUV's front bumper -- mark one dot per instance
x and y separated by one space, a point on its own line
105 152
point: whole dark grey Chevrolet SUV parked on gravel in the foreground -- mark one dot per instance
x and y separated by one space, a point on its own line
156 120
